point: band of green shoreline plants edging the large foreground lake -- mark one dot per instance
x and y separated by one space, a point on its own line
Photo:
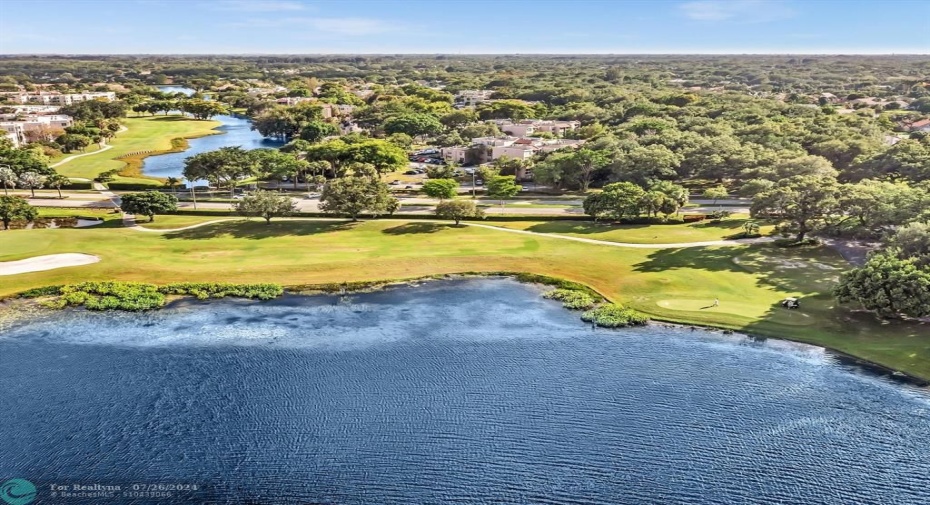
598 310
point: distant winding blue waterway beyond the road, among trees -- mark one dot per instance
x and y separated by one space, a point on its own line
236 131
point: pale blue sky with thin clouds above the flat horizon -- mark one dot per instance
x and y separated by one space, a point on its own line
475 26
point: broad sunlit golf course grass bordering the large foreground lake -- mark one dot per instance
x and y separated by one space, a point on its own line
677 284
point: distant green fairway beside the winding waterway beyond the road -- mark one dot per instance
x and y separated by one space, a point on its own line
152 135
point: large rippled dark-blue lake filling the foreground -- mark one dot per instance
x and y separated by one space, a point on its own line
474 391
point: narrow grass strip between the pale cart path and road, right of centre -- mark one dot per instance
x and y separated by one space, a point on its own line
639 234
